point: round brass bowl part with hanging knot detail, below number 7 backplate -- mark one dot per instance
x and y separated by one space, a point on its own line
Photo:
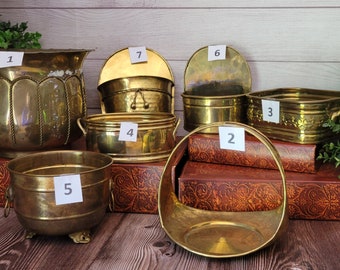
137 94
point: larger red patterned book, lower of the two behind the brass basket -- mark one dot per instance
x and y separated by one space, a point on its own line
221 187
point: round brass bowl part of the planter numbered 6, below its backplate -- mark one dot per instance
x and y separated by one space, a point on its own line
213 102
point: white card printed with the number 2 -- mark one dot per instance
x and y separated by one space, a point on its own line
232 138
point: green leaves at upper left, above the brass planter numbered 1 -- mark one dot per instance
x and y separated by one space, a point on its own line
16 37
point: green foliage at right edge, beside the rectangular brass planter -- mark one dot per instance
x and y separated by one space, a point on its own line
330 151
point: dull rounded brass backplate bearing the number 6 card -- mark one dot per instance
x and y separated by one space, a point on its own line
232 70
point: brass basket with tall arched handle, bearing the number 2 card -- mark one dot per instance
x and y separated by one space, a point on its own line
214 233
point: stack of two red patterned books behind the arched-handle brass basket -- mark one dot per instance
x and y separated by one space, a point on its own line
228 180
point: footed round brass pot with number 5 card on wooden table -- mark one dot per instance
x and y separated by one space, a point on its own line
33 192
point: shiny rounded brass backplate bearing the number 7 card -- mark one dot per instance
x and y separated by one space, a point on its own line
119 65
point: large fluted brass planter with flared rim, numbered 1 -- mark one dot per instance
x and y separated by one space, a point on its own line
41 101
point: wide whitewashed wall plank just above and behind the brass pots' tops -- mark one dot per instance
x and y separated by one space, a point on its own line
259 34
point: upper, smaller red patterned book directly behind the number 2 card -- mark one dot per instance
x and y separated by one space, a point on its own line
294 157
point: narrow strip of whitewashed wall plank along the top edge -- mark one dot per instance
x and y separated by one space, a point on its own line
166 4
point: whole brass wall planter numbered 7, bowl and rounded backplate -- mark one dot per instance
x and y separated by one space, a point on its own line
141 87
